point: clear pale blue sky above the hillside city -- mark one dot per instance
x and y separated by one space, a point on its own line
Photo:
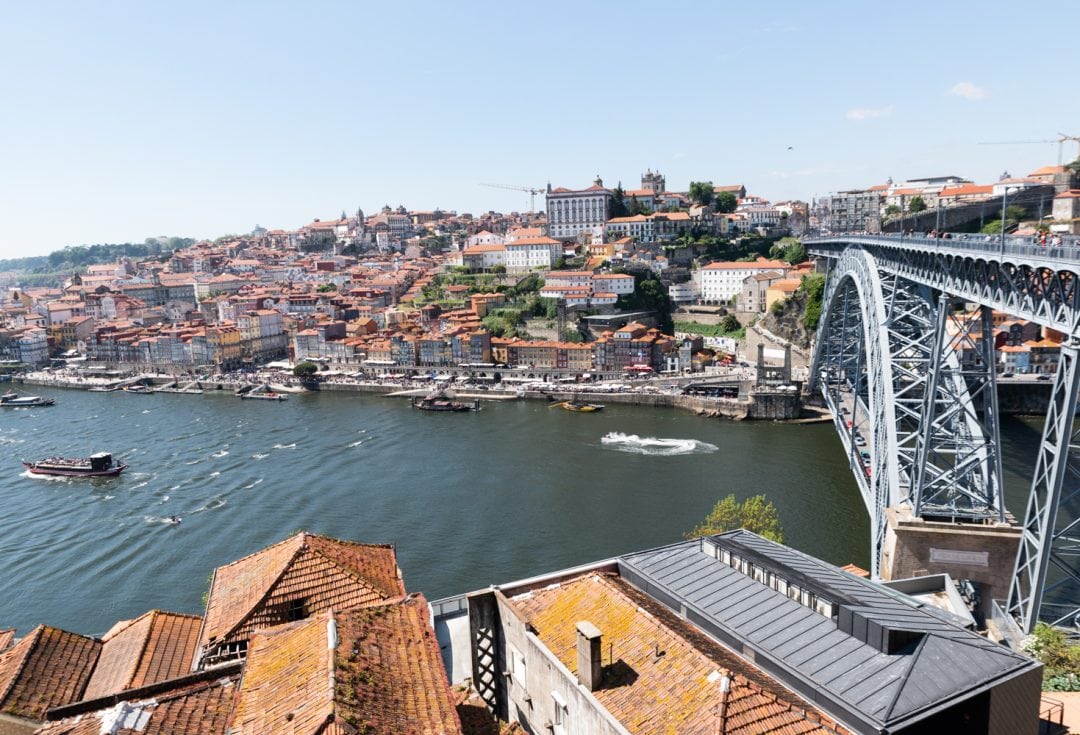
126 120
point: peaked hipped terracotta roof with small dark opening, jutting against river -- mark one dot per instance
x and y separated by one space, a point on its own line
320 573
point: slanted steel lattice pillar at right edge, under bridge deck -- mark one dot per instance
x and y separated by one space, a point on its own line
1046 584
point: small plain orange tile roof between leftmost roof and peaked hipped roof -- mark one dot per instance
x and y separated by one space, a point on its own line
155 647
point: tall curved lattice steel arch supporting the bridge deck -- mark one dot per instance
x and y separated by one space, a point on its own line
933 421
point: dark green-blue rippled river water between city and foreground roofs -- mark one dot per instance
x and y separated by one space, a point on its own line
470 499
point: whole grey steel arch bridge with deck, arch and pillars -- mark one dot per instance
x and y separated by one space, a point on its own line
913 390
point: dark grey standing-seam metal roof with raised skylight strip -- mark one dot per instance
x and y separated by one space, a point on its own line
933 663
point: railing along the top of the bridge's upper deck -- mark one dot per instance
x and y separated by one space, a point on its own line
1012 246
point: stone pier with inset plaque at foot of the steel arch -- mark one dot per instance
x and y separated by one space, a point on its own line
983 553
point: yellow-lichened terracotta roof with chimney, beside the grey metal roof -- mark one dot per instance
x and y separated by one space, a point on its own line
673 691
